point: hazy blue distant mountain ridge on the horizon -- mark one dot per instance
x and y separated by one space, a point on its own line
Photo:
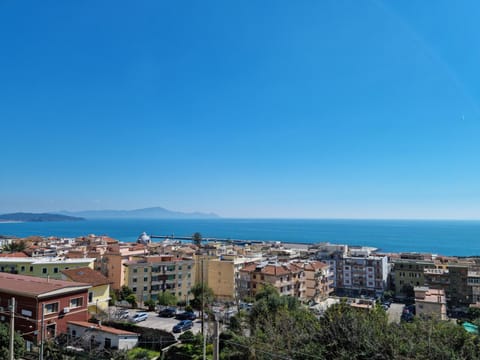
147 213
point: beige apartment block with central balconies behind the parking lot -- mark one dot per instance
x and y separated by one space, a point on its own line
149 276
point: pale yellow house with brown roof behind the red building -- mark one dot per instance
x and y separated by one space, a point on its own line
98 294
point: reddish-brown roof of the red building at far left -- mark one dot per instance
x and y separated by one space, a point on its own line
33 286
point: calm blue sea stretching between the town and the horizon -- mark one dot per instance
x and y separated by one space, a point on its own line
460 238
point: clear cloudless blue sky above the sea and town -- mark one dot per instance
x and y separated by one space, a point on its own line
315 109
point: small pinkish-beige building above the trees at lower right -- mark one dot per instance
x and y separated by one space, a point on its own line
430 302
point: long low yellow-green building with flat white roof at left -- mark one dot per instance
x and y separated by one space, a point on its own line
50 267
